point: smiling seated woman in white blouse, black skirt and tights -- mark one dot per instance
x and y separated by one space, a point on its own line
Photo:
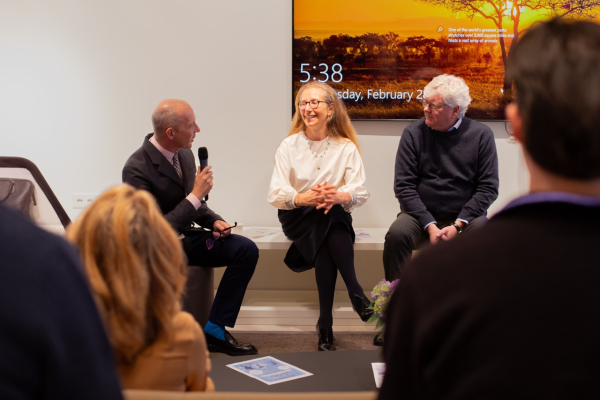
317 181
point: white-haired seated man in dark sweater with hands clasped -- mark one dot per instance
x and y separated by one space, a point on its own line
446 174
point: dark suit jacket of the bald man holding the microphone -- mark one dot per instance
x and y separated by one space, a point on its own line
148 169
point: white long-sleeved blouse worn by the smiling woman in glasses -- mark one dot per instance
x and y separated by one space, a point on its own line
297 170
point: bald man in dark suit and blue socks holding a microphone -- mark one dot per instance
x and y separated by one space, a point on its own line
165 167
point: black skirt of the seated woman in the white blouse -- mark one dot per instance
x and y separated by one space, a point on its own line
308 227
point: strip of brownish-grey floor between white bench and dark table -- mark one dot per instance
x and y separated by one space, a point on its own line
270 343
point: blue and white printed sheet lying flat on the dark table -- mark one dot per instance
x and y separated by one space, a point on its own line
269 370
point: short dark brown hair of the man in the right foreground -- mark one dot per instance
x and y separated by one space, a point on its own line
554 68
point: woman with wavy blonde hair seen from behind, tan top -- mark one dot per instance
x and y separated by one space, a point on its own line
136 269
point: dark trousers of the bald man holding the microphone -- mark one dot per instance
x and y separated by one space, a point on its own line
240 255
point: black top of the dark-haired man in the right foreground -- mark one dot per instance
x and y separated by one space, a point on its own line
512 312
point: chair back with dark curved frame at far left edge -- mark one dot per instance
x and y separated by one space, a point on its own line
47 213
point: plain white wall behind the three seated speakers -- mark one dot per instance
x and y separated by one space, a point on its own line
79 80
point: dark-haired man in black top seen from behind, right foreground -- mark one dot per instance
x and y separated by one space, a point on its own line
513 312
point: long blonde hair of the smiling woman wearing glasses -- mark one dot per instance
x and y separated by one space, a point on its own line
338 126
